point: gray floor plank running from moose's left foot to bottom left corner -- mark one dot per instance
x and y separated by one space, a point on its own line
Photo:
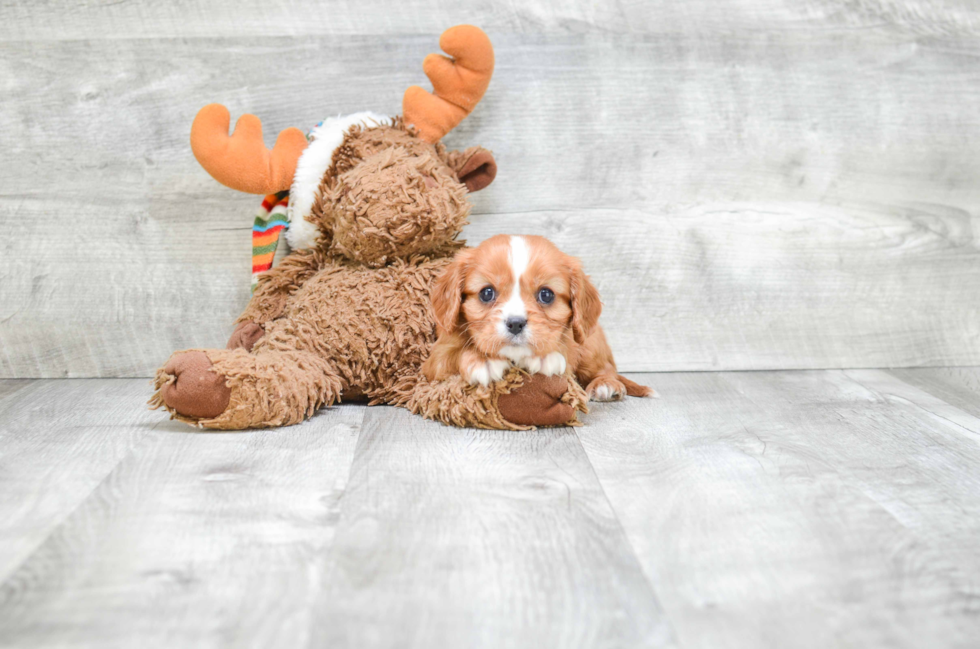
195 539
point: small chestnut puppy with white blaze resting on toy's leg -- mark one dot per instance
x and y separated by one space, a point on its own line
518 300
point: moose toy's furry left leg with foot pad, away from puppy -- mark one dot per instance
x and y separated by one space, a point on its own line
233 389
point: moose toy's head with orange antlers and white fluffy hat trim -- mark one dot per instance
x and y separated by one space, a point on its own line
366 186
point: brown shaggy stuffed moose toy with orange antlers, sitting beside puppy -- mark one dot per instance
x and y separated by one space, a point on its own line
376 204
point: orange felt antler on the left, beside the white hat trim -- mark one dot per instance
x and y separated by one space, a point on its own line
242 161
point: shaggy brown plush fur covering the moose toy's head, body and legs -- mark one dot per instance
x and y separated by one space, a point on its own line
351 317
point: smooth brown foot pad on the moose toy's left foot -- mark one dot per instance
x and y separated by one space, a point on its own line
196 389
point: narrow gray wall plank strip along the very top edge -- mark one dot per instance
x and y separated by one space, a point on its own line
63 19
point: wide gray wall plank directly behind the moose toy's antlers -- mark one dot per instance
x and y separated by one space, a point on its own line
799 119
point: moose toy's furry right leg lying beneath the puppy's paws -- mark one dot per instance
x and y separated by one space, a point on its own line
518 402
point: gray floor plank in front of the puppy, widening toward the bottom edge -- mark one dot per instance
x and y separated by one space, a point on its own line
452 538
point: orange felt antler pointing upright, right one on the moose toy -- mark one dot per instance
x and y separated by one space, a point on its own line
458 84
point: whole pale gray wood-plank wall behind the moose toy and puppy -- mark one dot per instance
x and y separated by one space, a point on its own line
752 184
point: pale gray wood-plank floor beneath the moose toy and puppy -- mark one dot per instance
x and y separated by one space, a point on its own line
756 509
